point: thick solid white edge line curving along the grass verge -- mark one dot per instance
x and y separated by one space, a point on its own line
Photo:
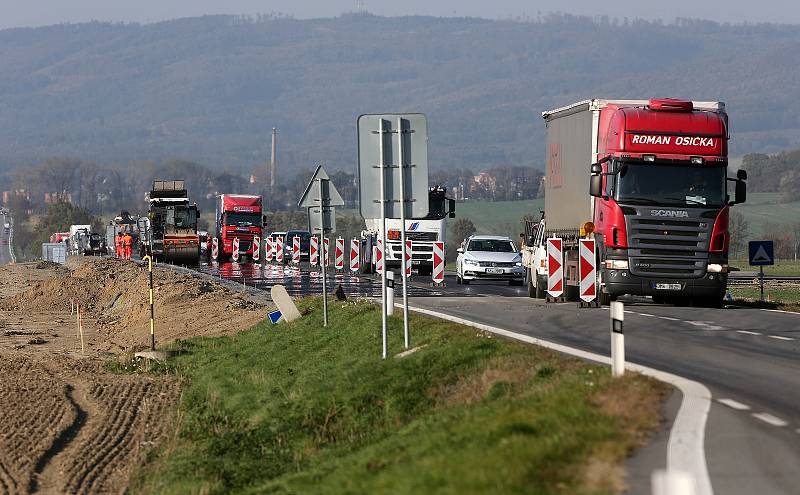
686 445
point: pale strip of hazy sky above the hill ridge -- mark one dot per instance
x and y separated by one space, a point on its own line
21 13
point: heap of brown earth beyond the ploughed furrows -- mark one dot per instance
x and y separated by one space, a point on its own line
114 294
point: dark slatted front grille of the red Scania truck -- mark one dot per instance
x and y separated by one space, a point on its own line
668 247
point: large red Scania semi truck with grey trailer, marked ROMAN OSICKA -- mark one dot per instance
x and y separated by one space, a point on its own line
648 180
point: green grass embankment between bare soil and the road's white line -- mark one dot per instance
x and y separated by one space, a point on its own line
302 409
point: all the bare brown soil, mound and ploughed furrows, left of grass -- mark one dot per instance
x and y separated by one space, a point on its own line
70 426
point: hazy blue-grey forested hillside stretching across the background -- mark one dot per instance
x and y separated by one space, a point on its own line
210 89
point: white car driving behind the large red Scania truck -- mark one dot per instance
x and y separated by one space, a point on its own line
489 257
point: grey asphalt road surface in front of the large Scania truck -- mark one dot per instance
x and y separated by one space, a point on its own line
748 358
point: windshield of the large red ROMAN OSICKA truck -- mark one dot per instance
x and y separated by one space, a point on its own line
671 185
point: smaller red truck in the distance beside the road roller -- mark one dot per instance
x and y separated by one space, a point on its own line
237 216
